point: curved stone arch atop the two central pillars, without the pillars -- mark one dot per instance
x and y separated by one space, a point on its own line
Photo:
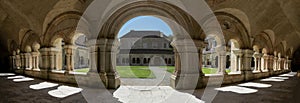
168 13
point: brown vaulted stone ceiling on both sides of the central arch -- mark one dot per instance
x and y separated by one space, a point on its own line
280 16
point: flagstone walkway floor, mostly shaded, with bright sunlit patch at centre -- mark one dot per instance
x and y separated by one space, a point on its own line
287 91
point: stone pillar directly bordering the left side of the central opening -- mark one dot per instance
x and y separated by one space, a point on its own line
110 64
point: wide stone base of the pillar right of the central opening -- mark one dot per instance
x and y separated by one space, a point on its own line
186 81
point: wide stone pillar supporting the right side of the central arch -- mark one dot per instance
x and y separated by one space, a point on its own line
187 74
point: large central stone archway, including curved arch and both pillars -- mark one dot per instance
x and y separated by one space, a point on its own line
179 22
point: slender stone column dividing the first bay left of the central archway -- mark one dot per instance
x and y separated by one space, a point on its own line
69 51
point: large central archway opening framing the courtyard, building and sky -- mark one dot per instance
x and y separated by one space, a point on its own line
145 52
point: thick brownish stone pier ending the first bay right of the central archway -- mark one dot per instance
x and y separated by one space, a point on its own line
246 66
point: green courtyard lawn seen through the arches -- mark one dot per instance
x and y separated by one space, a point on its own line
145 72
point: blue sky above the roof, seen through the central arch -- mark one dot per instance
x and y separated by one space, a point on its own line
145 23
